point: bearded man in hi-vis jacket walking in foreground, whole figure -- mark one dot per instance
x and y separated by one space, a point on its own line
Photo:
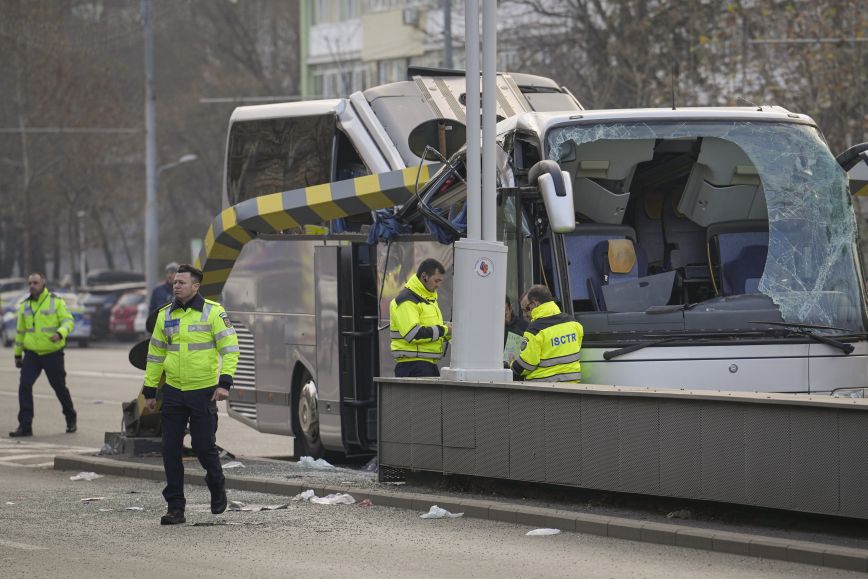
194 343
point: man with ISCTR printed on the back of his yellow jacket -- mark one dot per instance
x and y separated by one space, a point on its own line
550 351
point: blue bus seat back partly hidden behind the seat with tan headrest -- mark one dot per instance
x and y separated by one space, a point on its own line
579 246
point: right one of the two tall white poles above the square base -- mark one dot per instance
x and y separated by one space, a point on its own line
489 119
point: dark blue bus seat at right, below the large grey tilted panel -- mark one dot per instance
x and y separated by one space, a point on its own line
737 253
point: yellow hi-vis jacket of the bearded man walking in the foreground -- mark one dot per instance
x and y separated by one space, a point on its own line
196 346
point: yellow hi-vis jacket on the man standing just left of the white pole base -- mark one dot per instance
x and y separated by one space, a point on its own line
416 324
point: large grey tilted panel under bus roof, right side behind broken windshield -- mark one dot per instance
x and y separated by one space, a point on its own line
724 185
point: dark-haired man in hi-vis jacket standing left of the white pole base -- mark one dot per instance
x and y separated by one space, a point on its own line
419 334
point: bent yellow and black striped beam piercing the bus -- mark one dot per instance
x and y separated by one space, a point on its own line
276 212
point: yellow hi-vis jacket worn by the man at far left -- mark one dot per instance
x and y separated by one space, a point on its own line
40 319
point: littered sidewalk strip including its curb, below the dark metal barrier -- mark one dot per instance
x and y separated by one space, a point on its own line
289 479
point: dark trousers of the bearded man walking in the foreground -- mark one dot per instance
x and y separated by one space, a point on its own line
197 408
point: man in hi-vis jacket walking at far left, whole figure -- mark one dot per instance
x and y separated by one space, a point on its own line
43 325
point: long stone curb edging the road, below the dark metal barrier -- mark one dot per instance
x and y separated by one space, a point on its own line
805 552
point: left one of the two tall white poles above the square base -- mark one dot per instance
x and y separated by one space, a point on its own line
471 48
